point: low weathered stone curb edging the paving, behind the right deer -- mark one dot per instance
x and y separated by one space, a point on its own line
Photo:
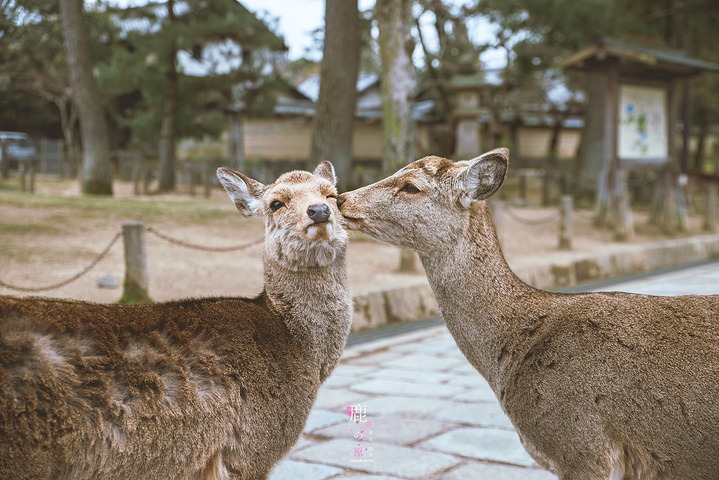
416 302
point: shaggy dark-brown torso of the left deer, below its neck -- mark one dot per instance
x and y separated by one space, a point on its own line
89 390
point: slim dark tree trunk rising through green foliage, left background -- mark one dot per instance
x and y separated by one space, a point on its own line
166 167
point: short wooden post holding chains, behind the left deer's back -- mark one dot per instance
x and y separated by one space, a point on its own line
136 282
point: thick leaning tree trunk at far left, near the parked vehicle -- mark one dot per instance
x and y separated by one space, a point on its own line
96 166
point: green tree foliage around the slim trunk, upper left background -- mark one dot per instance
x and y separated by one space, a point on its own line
135 72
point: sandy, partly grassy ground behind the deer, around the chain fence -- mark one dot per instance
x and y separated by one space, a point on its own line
48 240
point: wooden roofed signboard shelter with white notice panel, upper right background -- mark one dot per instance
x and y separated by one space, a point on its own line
640 117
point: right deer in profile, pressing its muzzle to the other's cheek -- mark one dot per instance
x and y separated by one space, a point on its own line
598 385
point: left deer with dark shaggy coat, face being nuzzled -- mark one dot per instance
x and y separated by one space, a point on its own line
210 388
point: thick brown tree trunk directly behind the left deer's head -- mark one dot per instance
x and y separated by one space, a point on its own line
334 119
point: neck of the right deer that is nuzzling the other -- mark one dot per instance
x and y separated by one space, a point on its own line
478 294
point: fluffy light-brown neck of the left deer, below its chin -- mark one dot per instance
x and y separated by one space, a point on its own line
316 306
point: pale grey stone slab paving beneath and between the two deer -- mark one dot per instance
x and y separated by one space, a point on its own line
421 411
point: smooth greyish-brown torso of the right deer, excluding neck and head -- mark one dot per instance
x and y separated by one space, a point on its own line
612 372
